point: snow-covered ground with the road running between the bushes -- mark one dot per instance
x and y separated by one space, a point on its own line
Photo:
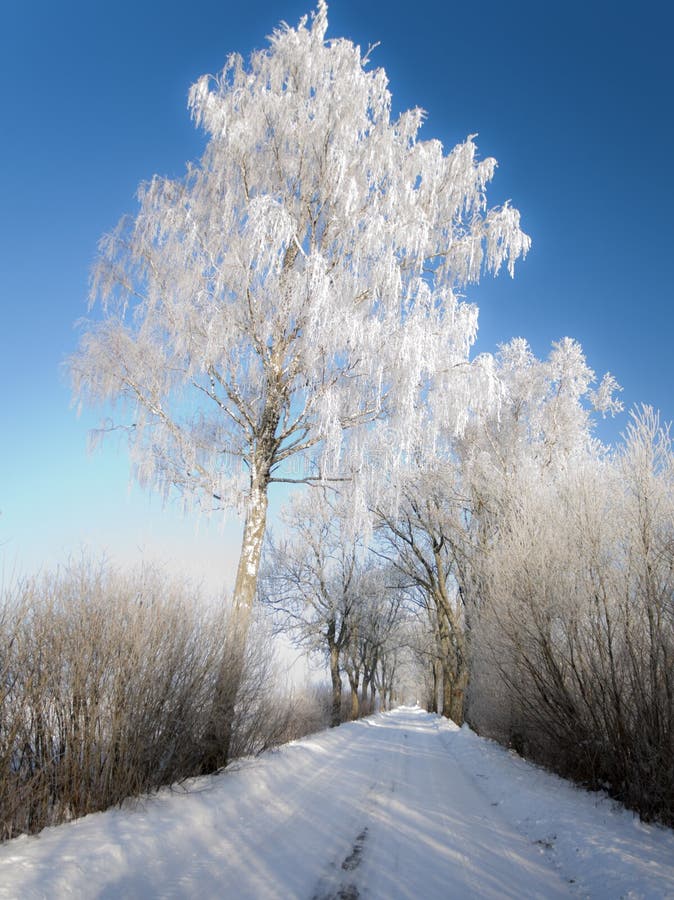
400 805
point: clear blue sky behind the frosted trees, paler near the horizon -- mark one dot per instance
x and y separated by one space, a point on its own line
574 100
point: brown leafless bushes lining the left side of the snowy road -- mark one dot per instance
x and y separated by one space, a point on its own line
106 691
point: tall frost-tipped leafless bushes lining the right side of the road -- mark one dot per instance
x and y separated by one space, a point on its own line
577 622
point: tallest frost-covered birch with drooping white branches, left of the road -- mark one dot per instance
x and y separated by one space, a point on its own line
298 284
